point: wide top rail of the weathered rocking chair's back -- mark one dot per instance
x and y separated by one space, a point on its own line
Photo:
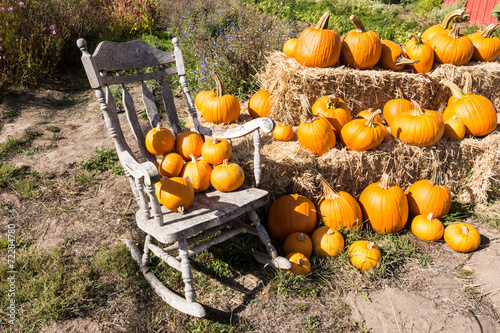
114 56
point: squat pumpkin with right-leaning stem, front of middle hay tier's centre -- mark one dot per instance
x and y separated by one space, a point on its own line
362 135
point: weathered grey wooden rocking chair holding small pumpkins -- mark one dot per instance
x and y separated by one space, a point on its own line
212 211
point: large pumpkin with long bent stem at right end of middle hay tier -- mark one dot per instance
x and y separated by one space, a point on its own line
476 112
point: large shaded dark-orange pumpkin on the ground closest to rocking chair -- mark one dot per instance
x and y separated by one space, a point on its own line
291 213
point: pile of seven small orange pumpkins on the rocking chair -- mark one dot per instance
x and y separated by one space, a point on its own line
189 165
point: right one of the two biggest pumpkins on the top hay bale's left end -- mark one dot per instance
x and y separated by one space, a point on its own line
360 48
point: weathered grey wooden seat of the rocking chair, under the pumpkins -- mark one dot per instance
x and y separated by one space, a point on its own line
209 209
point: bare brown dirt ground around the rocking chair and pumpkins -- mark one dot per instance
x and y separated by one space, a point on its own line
432 298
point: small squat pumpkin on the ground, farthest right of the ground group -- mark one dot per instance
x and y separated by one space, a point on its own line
462 237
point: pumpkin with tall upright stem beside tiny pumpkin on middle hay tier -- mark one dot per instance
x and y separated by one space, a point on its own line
317 135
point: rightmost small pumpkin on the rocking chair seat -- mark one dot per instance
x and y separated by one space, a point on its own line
227 177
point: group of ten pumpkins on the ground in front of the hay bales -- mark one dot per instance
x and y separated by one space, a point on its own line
292 218
